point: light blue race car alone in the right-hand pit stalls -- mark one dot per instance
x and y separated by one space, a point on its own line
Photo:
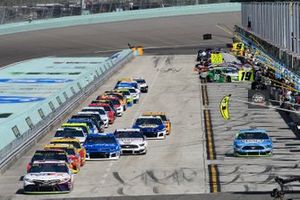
252 142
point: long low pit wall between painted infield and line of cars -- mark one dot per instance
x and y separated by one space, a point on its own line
17 148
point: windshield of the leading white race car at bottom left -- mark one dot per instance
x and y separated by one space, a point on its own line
49 167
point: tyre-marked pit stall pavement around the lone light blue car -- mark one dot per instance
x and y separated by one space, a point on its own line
237 174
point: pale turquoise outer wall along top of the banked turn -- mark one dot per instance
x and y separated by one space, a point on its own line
117 16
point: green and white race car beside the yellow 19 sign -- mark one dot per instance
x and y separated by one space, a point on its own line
220 74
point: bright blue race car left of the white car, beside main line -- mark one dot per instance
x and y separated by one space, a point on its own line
102 147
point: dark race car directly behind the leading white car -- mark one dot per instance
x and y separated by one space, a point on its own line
51 154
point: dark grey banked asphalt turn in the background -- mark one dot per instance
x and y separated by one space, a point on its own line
90 39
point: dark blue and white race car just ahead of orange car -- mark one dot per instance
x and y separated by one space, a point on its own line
151 127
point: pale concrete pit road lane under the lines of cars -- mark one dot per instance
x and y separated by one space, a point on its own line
173 166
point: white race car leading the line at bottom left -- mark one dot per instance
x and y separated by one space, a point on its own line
48 177
